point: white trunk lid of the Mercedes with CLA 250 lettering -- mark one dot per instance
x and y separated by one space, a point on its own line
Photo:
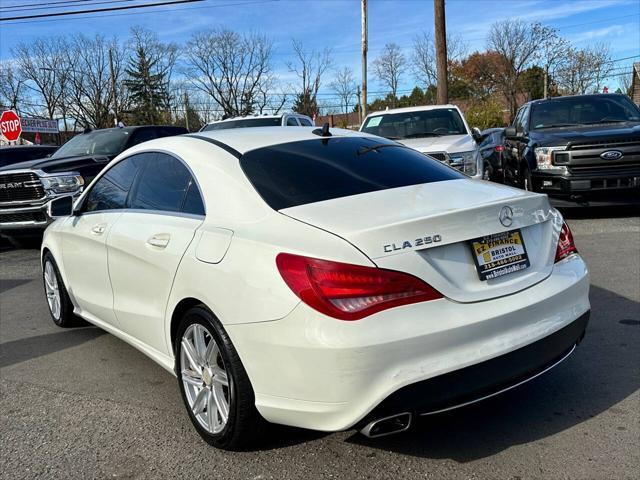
425 230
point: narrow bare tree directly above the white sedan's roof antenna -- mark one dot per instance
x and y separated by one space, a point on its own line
309 67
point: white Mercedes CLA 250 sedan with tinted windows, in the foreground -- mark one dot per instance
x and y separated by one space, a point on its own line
321 279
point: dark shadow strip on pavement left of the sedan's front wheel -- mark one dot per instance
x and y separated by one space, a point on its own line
32 347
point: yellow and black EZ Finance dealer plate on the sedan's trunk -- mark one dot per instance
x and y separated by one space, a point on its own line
499 254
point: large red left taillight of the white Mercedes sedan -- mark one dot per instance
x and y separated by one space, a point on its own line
350 292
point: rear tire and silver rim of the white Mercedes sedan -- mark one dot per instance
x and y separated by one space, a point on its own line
205 389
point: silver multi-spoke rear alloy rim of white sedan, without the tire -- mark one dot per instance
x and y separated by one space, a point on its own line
205 378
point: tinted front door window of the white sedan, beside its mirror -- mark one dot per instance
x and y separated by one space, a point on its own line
111 190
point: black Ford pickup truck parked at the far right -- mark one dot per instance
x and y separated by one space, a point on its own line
580 149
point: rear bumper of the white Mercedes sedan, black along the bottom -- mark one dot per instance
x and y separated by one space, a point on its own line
311 371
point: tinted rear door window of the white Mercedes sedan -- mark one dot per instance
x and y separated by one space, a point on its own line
162 186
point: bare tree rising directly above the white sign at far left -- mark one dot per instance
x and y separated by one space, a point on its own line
42 63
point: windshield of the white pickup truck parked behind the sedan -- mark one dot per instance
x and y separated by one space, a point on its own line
438 122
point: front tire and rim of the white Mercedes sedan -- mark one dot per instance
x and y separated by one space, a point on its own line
60 306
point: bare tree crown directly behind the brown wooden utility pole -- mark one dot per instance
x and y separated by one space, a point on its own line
423 56
